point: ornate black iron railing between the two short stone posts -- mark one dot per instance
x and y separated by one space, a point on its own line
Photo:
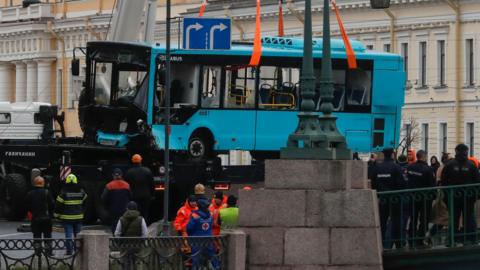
169 253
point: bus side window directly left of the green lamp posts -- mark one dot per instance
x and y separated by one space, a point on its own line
278 88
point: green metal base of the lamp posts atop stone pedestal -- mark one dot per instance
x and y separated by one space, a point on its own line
316 138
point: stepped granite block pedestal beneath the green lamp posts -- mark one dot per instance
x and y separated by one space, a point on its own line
312 214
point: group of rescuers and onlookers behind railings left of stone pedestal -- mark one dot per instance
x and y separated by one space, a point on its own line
127 199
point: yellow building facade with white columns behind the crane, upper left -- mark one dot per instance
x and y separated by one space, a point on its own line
36 48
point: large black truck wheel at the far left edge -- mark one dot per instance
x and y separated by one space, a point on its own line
14 190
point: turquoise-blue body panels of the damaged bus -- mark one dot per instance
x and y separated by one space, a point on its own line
374 127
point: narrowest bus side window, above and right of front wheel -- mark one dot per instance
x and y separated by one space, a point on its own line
211 87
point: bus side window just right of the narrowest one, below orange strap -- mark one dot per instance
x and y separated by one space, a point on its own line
240 87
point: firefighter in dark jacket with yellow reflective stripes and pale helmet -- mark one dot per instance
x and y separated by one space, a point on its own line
69 209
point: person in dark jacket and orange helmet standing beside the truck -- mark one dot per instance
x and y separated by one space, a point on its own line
140 179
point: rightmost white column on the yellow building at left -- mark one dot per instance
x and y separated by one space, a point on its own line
44 72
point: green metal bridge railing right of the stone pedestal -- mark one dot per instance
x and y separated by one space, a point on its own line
442 216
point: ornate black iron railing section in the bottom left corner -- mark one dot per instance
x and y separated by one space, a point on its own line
38 254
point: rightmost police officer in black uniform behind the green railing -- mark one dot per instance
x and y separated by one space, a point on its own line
460 171
